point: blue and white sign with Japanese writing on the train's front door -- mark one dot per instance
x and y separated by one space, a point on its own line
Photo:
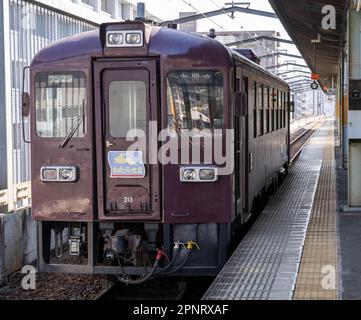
126 164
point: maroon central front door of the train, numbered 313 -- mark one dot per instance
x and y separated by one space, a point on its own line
130 189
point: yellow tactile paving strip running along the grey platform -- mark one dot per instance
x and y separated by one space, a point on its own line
317 277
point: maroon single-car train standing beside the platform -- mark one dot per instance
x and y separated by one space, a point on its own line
120 214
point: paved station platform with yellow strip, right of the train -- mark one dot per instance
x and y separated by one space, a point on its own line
295 248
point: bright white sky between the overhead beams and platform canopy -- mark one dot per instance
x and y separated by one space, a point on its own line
169 9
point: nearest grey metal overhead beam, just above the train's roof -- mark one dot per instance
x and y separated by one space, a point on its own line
220 12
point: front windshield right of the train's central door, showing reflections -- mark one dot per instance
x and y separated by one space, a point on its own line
195 100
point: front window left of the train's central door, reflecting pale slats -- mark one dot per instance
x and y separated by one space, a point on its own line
60 103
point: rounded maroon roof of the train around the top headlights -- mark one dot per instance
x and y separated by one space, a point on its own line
160 41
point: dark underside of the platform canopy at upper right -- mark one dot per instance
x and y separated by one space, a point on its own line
302 19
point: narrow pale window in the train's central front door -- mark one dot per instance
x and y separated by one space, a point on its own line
127 107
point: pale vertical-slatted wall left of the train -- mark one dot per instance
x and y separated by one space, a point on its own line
31 28
